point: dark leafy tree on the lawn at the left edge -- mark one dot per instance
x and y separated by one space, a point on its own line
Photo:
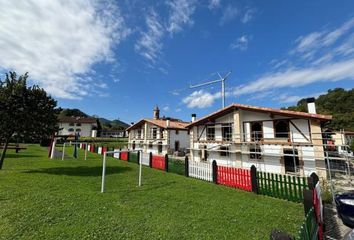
27 112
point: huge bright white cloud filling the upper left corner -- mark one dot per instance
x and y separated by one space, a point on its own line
58 42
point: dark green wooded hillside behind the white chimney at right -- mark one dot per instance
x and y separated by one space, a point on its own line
337 102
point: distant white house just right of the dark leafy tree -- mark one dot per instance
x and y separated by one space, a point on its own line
84 126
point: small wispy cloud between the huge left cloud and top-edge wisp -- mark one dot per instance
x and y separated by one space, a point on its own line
149 45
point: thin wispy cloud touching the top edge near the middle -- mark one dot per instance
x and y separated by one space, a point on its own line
181 12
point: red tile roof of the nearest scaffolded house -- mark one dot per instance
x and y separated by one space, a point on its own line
288 113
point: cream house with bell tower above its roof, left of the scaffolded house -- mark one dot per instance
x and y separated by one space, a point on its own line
159 135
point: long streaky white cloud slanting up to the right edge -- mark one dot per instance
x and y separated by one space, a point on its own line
330 63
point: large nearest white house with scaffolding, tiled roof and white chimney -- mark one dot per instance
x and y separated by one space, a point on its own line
274 140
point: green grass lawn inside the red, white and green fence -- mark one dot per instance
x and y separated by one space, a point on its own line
54 199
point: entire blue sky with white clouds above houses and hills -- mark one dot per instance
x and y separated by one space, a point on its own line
117 59
